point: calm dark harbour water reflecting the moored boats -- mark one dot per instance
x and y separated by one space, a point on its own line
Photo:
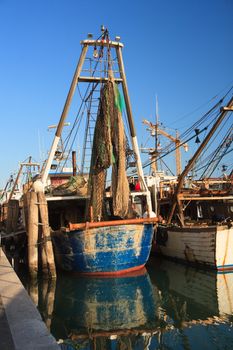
166 306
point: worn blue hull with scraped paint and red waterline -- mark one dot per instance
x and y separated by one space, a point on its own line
105 250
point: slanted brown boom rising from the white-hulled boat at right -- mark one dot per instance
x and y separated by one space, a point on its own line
176 201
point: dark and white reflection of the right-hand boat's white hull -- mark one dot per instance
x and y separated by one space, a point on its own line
191 296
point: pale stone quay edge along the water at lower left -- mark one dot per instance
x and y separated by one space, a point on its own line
21 326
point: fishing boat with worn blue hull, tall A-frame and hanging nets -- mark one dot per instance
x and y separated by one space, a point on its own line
99 229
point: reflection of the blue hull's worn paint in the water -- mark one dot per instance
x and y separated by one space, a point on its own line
85 304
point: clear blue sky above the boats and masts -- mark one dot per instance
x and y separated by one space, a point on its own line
180 50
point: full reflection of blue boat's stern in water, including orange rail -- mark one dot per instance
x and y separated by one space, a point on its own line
105 310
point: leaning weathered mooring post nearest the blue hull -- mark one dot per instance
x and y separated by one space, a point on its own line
47 245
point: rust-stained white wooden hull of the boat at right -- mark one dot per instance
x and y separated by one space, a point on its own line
210 246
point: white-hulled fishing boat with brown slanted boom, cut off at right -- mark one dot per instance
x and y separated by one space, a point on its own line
198 228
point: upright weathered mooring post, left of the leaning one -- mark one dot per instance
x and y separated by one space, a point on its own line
33 234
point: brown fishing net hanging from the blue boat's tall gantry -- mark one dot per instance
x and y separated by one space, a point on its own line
108 149
